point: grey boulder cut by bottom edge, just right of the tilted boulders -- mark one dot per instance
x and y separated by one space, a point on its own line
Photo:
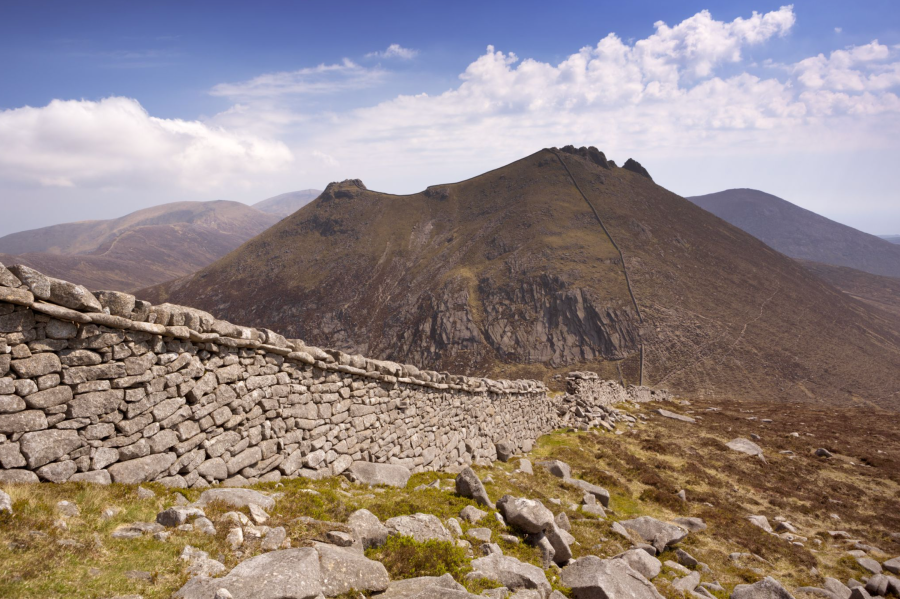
593 578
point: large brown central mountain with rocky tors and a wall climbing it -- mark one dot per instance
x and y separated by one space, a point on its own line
559 261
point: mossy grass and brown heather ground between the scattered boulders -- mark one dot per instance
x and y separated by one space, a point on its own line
643 467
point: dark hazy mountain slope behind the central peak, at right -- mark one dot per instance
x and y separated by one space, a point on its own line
801 234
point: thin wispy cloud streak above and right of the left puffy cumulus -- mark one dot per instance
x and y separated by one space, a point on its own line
322 79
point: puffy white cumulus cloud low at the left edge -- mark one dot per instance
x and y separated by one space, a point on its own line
115 142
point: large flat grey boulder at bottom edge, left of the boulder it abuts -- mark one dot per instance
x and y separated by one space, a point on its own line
284 574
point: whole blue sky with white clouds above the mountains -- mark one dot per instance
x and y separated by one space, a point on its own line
109 107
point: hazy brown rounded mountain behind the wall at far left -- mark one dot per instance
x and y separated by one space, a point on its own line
140 249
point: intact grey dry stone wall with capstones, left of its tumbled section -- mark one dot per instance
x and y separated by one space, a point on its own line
102 387
